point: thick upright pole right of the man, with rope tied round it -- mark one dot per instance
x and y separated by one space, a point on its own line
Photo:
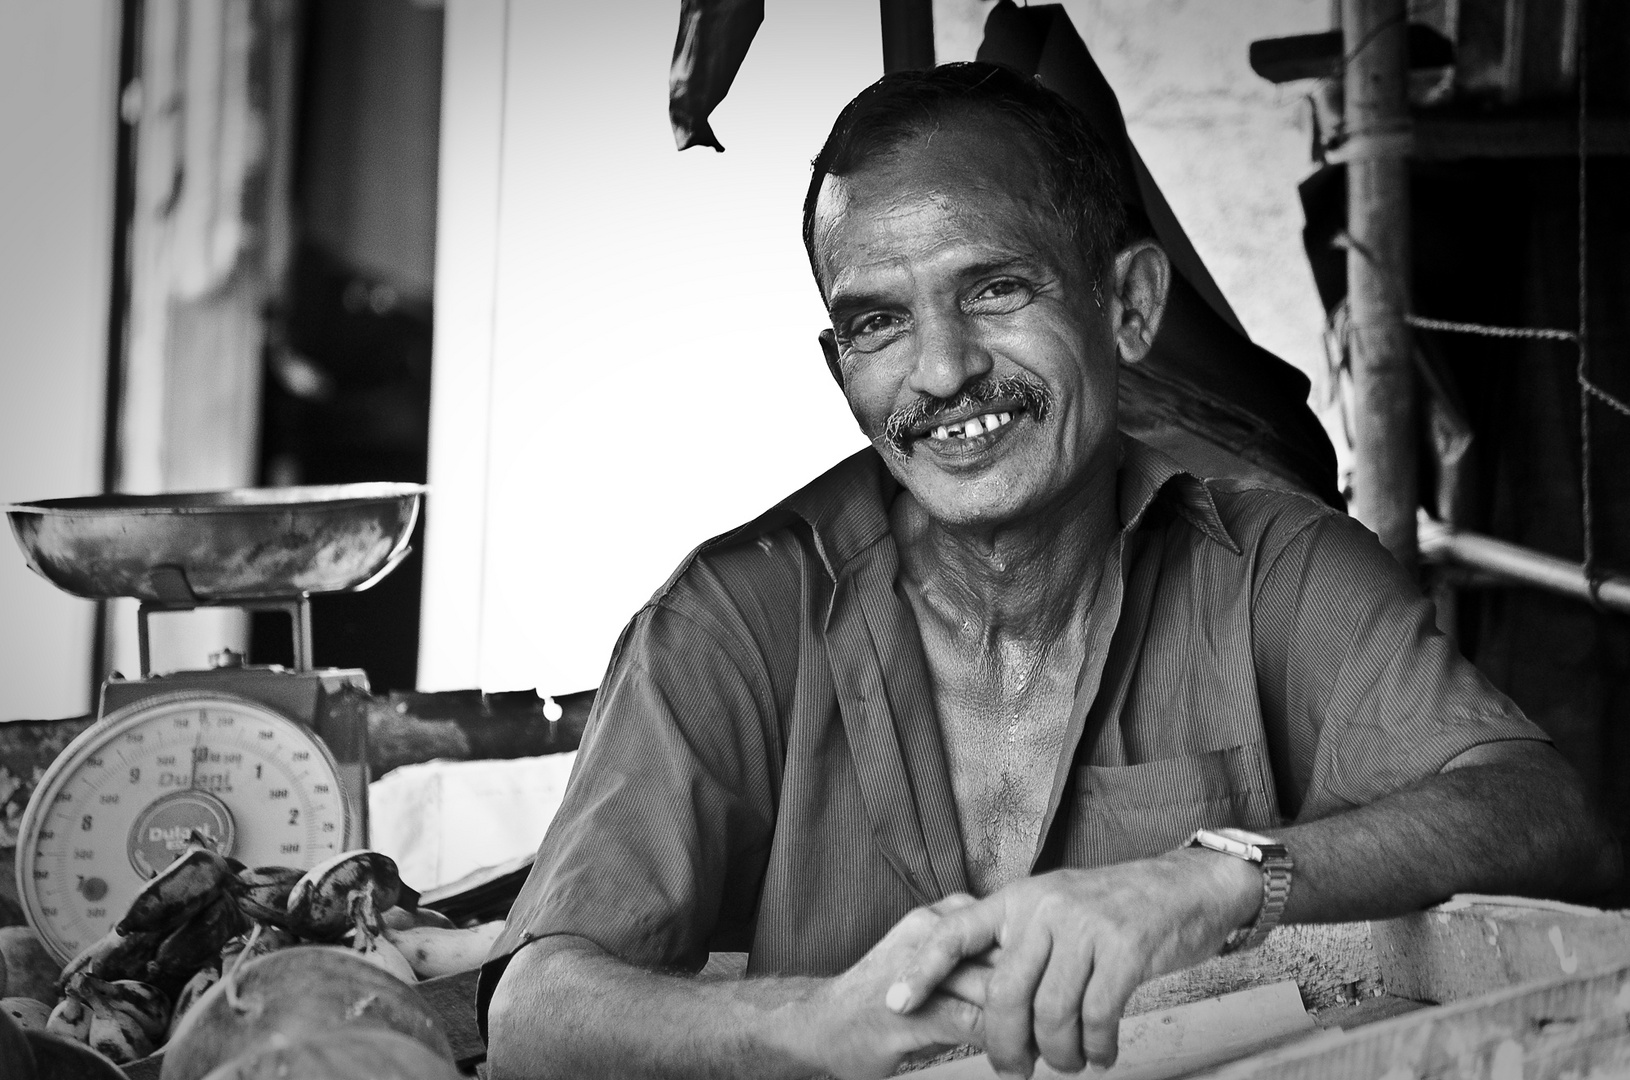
1378 271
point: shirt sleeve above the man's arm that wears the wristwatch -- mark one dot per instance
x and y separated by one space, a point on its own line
1363 690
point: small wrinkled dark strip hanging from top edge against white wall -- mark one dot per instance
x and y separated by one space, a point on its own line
715 37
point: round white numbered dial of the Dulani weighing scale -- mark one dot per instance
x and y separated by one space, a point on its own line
125 797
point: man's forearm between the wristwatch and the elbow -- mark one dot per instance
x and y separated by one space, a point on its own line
1520 828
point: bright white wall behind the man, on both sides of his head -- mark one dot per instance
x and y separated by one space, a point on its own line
625 335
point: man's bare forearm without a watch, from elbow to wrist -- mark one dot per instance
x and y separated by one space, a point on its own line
566 1009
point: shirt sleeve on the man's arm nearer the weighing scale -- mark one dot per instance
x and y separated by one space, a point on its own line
659 846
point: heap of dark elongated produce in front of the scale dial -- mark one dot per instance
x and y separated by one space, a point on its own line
206 915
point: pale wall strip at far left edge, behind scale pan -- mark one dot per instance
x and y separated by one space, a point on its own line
58 72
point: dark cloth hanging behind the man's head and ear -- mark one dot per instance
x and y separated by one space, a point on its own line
1205 385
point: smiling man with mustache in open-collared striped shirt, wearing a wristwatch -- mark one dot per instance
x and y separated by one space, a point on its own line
928 740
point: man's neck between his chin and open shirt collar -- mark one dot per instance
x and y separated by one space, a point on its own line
1023 582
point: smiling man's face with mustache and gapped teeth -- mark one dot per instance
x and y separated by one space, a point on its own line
969 341
